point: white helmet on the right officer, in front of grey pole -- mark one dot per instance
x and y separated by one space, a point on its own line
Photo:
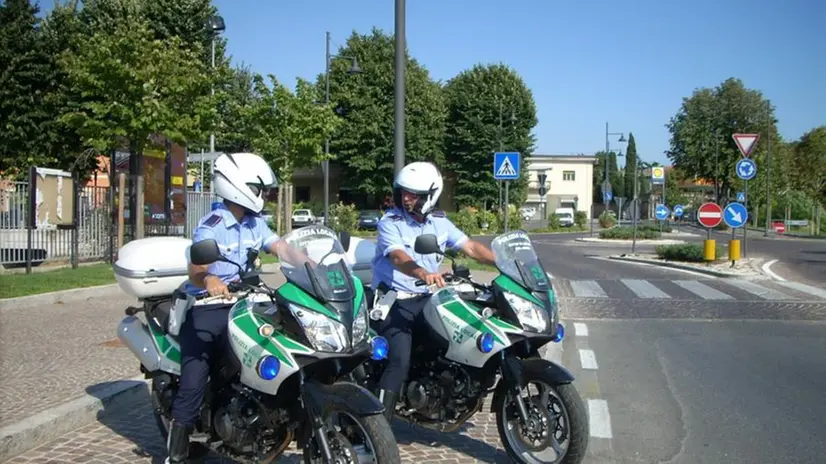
422 179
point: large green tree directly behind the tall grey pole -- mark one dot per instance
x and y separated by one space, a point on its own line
364 142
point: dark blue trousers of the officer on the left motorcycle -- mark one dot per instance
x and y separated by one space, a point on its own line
203 337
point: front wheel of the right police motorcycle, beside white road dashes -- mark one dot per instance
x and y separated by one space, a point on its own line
557 426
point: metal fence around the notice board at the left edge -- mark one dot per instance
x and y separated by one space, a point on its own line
54 243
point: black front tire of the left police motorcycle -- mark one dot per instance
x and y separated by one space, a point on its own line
378 431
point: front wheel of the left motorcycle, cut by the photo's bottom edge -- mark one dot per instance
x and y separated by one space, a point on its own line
354 439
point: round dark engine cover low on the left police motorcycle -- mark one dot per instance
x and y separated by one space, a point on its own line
236 421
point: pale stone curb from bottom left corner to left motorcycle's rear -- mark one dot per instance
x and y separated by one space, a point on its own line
33 431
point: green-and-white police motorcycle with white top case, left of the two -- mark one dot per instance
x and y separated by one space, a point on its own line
283 378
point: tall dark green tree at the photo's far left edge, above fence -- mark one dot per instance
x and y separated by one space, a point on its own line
24 81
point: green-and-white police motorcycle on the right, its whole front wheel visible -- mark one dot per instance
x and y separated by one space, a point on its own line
480 339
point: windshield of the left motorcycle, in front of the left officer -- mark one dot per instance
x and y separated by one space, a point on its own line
315 261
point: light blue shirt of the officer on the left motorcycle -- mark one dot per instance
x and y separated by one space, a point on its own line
234 239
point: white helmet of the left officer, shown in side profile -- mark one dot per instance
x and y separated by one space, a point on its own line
243 179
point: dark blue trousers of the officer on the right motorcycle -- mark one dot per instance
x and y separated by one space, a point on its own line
397 328
